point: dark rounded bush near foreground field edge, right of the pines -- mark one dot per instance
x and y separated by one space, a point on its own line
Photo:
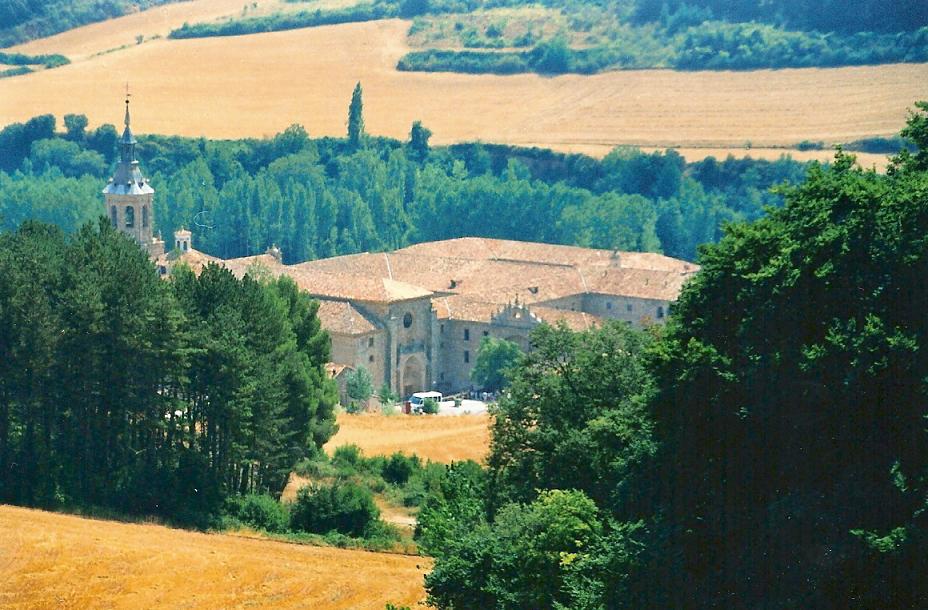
342 507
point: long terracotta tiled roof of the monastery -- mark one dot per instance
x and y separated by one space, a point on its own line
489 272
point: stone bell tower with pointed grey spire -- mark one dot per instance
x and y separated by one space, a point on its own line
128 197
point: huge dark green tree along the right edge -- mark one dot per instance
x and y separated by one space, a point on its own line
792 401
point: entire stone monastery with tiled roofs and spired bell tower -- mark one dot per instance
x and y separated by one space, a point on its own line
415 317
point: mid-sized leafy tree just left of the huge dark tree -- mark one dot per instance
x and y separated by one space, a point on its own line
575 417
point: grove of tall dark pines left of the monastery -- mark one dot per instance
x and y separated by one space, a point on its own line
121 390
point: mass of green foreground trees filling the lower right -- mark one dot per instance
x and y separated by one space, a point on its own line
767 448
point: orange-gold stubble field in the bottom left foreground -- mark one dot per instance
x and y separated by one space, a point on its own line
49 560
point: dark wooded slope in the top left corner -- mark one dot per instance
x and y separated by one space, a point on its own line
22 20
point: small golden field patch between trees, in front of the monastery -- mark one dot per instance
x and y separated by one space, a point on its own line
440 439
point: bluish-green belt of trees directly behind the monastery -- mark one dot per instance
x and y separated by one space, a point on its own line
325 197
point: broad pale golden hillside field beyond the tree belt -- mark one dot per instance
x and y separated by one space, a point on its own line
259 84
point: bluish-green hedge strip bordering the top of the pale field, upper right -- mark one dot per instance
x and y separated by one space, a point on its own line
705 45
